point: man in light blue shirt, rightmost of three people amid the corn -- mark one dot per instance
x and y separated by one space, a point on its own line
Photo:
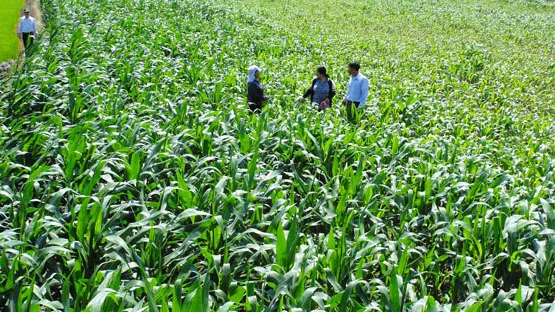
357 91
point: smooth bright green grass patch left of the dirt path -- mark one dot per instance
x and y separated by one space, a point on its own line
9 17
